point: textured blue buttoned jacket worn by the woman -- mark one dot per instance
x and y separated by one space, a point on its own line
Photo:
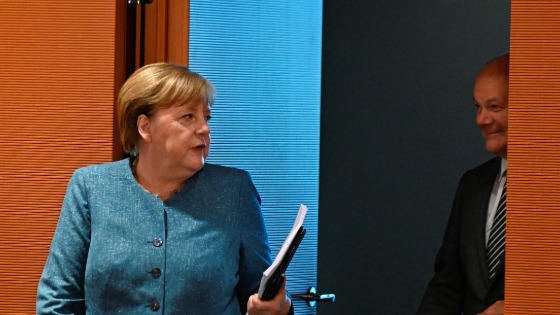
119 250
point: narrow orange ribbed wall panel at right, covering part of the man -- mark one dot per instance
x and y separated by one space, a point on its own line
533 226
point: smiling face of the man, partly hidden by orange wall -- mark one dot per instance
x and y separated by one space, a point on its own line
491 101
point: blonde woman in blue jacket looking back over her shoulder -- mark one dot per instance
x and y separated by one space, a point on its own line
161 231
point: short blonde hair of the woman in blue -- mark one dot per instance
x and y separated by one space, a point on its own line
155 86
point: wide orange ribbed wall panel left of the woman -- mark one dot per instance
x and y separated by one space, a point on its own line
57 85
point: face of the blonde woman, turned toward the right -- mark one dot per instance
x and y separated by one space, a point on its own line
179 136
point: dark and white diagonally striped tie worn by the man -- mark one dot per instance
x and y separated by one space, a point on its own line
497 239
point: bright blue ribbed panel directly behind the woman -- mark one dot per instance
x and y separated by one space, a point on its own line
264 58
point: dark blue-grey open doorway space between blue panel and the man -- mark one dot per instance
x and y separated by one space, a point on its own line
397 132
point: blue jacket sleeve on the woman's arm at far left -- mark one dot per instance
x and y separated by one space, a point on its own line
61 287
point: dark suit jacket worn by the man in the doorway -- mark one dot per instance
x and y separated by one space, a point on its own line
460 284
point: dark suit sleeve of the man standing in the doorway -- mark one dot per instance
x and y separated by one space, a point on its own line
444 294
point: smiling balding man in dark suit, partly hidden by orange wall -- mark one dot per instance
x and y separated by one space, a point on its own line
466 281
